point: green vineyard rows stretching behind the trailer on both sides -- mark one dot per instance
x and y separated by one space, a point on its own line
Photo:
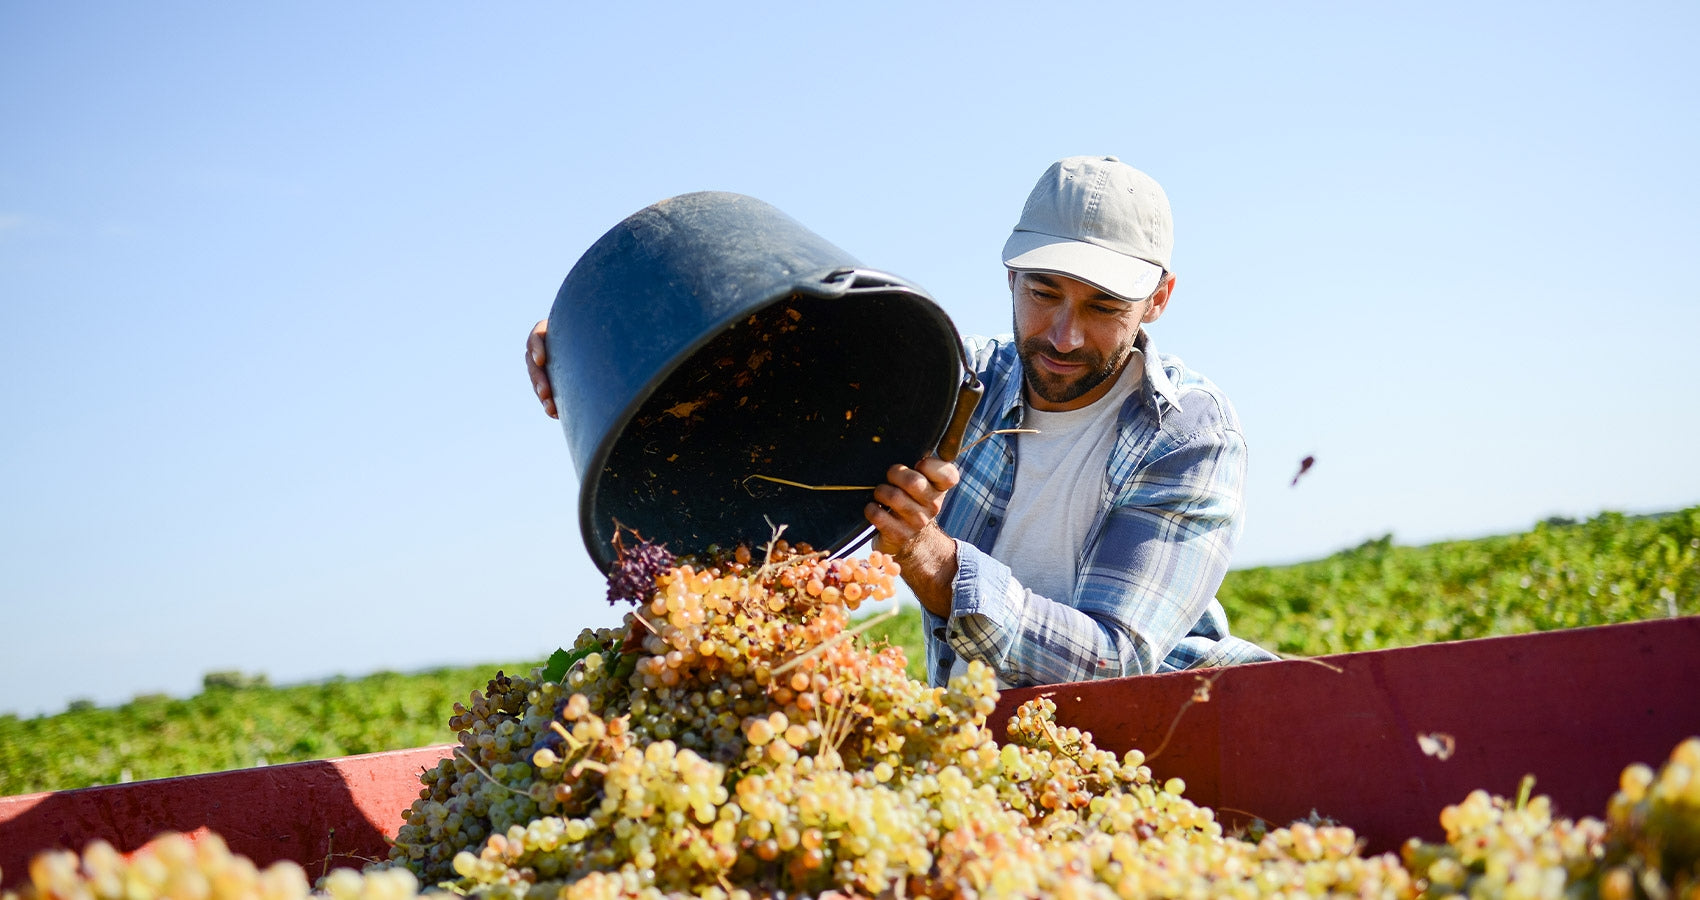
1611 569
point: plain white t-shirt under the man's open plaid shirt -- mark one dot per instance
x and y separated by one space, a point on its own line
1058 487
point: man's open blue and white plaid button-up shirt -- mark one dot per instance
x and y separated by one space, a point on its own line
1145 595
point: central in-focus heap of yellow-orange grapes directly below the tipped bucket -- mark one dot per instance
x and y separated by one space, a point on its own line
734 739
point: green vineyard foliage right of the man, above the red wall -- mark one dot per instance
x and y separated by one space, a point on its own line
1611 569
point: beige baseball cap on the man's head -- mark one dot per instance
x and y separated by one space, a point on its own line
1096 220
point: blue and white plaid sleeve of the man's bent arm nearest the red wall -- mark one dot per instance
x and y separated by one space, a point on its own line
1150 576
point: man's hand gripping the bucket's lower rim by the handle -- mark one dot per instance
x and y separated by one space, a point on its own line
905 511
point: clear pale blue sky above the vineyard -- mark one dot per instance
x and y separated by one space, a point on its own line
266 276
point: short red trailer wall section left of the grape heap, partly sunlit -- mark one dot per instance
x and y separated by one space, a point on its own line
322 814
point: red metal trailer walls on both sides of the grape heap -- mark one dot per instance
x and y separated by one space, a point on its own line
1339 736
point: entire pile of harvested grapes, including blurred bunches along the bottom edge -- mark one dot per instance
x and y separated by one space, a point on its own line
735 739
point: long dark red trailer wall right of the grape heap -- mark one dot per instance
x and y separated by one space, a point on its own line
1340 736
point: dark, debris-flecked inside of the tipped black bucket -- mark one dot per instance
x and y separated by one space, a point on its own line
824 392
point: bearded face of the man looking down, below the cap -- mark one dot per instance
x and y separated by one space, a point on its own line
1074 339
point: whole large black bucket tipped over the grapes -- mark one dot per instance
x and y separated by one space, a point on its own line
710 345
